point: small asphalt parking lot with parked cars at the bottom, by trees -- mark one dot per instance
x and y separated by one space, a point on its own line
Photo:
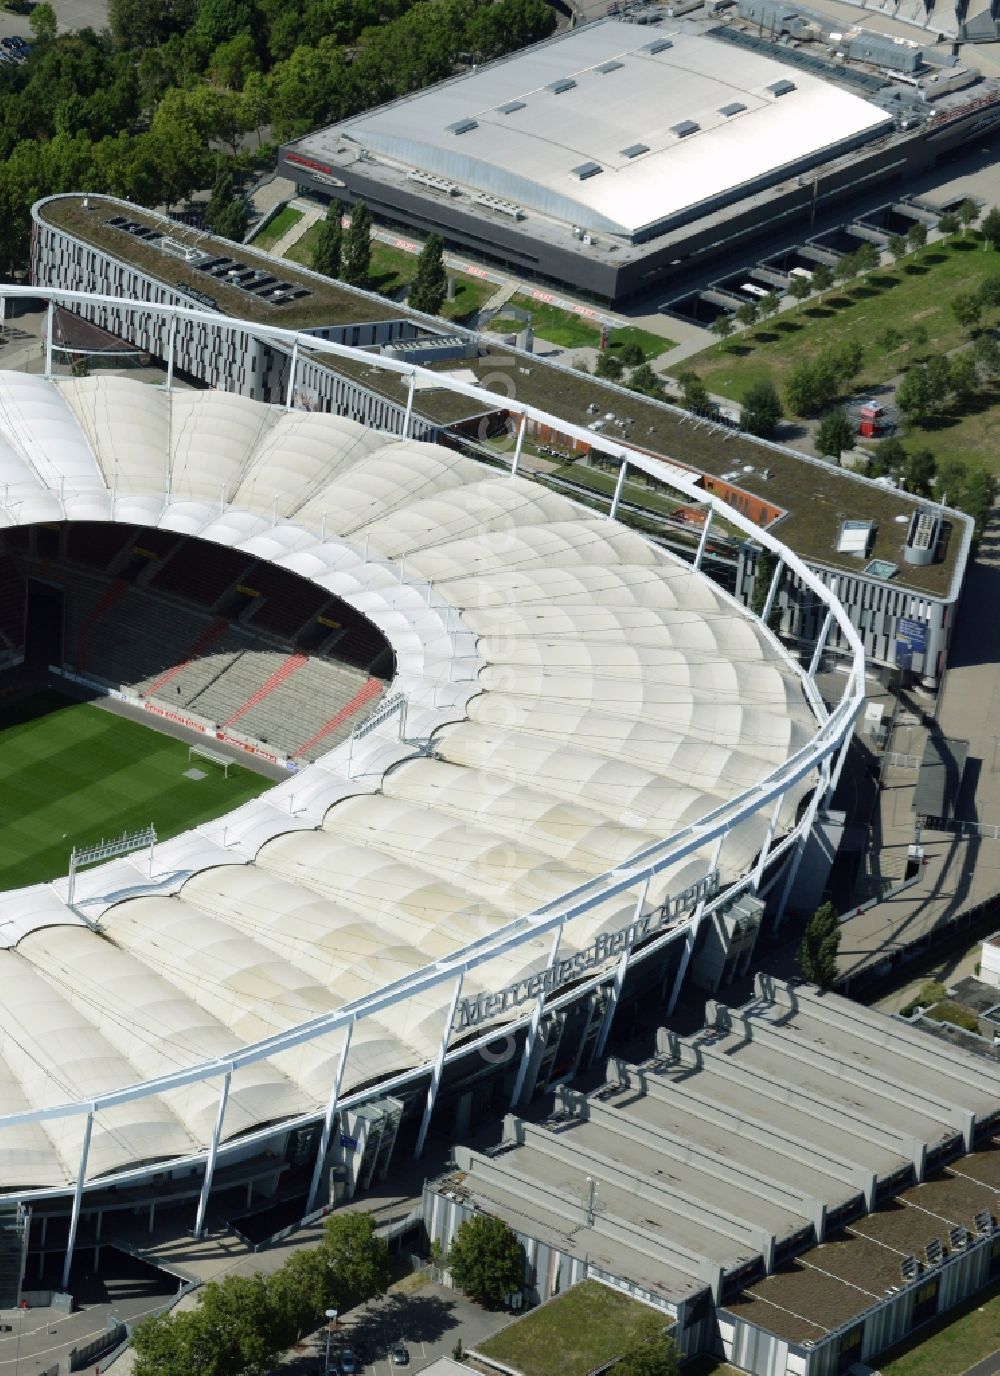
428 1319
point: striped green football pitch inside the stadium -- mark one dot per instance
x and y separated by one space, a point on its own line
72 774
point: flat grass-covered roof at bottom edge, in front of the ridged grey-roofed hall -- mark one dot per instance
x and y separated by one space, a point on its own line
569 1337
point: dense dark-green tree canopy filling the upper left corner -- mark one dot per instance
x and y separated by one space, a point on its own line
144 109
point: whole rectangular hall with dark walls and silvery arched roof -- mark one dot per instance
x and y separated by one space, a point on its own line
616 158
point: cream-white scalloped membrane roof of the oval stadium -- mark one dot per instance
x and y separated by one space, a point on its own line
584 694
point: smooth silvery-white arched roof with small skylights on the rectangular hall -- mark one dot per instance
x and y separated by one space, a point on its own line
507 133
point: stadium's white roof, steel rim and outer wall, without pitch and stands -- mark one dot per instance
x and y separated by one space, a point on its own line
592 777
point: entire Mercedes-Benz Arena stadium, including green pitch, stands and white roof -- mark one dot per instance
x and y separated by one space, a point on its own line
482 770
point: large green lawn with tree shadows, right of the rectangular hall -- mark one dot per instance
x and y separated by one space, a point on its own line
915 291
